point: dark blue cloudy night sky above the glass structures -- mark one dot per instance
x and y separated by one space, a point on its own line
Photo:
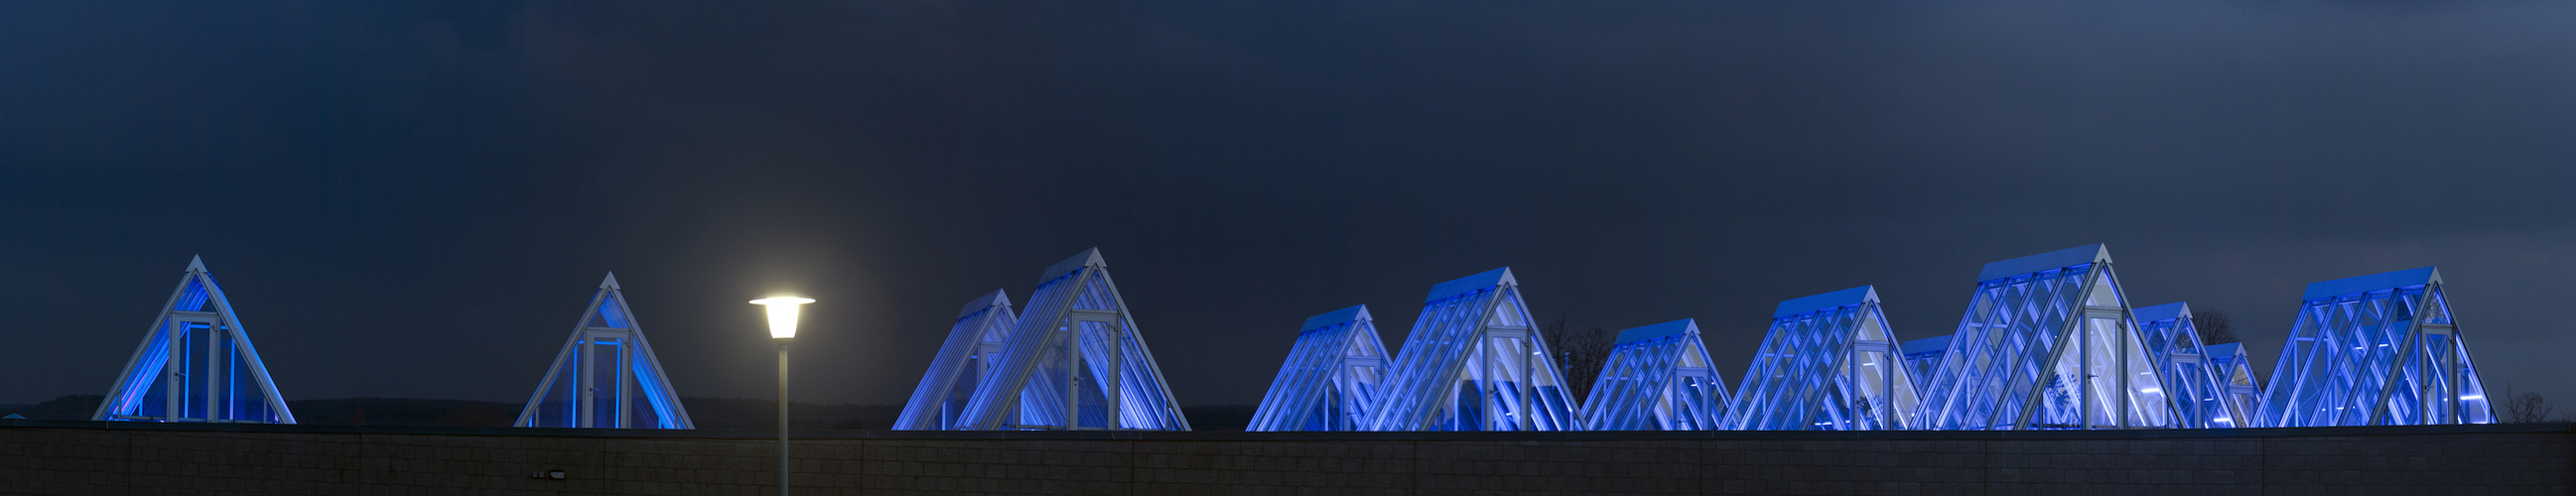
416 199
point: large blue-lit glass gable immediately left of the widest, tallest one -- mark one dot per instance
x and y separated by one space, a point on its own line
1830 366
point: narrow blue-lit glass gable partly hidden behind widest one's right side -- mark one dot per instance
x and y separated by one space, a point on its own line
2199 389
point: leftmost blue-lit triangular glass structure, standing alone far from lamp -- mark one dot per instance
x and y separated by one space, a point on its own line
194 366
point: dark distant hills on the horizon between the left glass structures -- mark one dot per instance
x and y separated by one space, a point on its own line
705 412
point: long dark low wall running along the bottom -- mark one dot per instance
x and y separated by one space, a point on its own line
176 459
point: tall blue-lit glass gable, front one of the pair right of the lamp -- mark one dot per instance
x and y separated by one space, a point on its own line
1075 361
